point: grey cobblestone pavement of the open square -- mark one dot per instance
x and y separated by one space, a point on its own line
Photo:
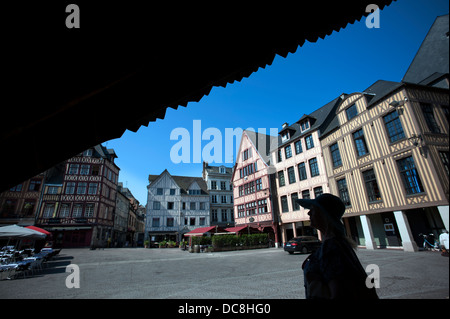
263 273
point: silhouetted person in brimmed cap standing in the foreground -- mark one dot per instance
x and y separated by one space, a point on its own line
333 271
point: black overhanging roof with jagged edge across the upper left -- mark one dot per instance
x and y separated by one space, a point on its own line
63 84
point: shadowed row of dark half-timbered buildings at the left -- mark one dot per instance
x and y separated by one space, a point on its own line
77 200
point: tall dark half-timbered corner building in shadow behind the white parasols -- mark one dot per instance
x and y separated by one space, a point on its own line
78 200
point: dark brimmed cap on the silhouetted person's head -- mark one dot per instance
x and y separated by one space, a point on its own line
329 204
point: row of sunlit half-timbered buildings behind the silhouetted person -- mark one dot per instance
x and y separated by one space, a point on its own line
384 151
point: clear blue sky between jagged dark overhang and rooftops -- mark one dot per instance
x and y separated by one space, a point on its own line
344 62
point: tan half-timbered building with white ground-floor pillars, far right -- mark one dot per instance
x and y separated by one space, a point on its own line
387 157
